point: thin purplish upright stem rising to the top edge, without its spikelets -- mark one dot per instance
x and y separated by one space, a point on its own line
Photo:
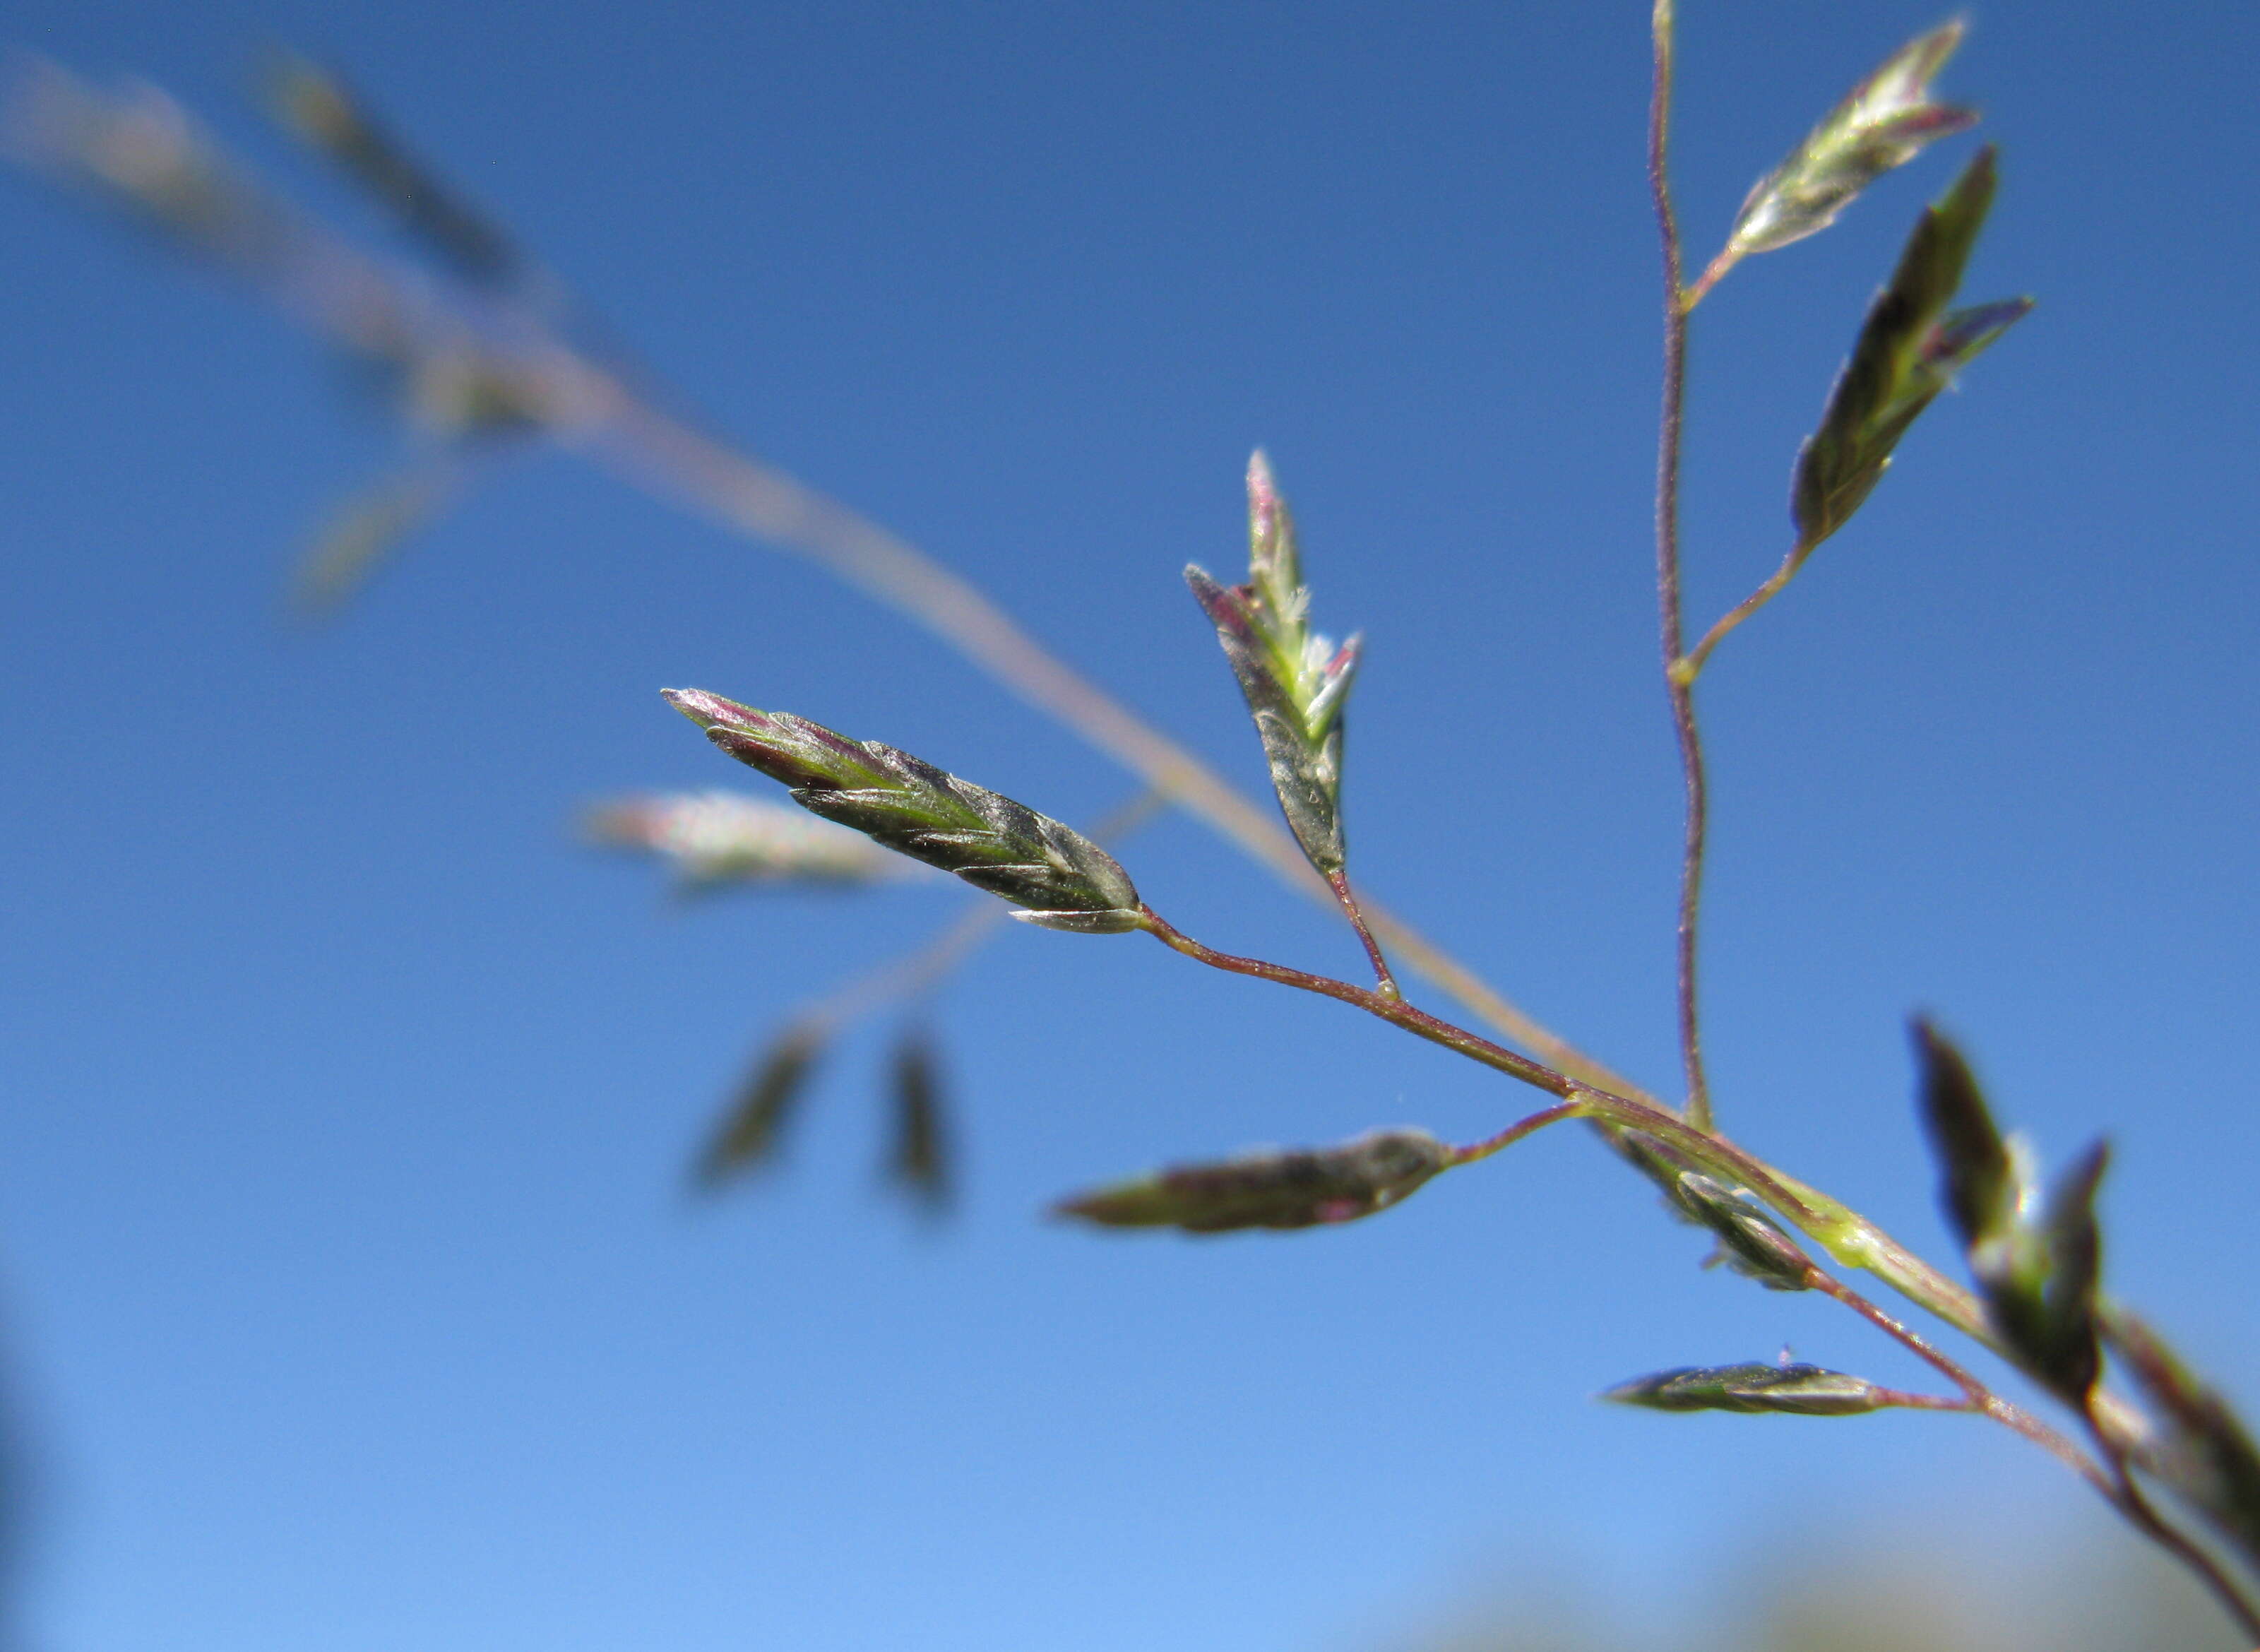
1669 431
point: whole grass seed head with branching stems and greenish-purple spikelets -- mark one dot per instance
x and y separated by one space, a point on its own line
492 354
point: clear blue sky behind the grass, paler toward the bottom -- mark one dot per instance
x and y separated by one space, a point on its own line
351 1301
